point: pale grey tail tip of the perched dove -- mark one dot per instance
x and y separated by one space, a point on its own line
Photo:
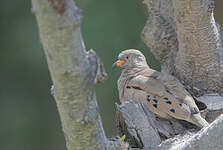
198 120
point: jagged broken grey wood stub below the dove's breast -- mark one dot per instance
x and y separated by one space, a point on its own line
136 126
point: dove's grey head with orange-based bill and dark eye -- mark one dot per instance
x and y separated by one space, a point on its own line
129 59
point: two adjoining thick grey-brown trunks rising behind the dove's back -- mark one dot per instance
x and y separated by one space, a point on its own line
184 36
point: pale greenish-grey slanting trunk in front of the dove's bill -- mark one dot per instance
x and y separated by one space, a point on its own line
74 72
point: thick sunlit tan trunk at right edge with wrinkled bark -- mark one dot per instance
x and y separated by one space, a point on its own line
198 62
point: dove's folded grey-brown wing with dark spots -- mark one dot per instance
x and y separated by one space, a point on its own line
166 96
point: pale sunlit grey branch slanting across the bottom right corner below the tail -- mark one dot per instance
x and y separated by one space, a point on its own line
206 139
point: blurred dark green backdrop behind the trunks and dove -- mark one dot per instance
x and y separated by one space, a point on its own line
28 115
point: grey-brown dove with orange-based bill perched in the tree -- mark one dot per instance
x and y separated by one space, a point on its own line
162 93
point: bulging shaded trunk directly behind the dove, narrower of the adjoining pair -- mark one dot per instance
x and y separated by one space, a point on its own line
159 33
